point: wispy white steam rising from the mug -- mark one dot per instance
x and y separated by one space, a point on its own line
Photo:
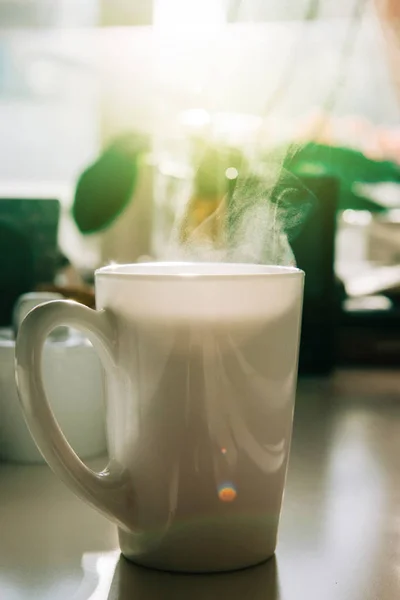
253 223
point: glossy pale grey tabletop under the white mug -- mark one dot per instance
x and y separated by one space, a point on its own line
340 528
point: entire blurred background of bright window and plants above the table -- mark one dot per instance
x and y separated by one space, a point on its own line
125 126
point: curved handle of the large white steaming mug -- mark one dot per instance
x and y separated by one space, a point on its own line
110 490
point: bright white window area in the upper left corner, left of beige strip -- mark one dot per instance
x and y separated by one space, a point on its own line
48 90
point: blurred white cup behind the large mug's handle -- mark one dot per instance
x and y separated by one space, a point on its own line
73 380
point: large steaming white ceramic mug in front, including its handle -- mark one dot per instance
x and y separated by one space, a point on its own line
201 365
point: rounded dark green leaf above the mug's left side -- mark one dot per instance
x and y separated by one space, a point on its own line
106 187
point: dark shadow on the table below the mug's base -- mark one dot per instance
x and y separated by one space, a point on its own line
131 581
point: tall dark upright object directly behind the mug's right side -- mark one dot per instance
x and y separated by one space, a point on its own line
314 252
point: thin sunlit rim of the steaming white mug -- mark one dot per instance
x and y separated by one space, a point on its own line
187 270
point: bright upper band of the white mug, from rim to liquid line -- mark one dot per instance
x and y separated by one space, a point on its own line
198 293
